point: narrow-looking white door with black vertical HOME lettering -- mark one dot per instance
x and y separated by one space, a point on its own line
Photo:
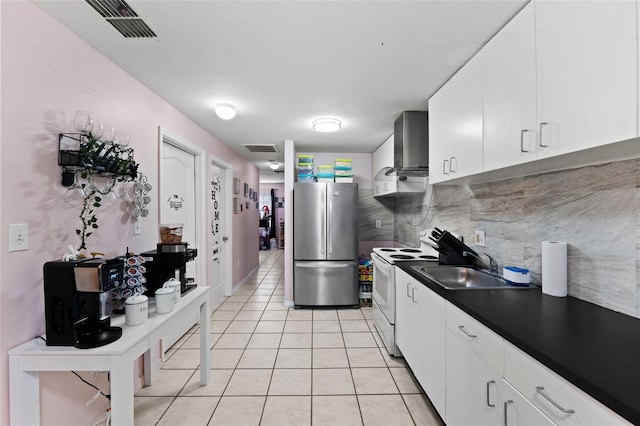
217 231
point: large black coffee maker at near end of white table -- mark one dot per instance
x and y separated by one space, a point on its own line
77 296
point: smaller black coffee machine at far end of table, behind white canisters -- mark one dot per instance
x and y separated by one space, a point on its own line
168 260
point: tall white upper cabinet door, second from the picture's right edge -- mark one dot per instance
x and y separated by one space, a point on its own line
510 93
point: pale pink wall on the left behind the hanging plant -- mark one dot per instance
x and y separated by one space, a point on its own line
47 74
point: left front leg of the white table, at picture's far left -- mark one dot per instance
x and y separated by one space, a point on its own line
24 399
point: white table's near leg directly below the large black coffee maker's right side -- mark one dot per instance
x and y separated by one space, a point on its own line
122 391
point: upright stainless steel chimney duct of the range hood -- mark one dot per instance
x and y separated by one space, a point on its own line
411 144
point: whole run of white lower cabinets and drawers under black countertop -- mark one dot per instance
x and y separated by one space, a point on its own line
474 377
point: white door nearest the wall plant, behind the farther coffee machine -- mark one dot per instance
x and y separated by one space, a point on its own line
178 198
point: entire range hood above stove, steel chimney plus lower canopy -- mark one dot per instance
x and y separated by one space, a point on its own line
410 157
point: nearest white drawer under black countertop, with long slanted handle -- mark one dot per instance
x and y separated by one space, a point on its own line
528 376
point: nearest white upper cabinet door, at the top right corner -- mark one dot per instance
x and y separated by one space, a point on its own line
587 76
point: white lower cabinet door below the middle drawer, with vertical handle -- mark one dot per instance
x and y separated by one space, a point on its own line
474 388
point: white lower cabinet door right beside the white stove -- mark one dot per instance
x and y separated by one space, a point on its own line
420 335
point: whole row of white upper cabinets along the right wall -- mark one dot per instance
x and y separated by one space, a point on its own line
561 77
